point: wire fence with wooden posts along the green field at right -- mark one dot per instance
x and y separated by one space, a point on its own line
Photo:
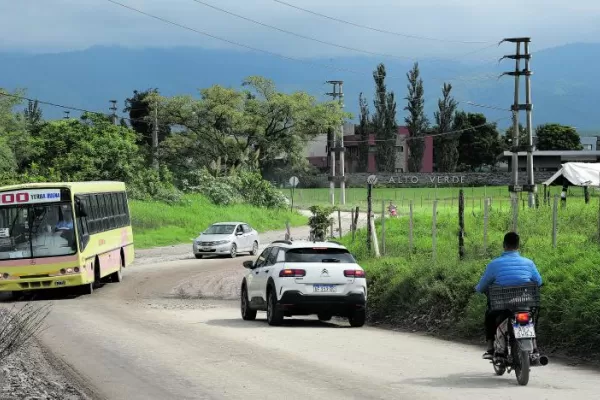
436 226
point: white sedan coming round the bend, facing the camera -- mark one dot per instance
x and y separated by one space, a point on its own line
226 238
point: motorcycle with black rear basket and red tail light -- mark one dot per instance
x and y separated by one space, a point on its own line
515 343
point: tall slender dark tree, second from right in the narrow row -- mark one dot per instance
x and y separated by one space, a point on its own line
416 121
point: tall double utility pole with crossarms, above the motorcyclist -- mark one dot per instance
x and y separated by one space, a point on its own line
516 107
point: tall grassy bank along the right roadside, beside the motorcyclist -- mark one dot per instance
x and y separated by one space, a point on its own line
411 289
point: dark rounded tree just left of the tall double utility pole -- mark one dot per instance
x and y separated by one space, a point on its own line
479 144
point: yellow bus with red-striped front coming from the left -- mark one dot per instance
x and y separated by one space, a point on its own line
42 246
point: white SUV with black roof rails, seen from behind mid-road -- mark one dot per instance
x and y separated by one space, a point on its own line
304 278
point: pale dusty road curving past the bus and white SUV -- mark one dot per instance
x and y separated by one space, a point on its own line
172 330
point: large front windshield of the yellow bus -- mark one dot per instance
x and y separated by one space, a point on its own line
36 231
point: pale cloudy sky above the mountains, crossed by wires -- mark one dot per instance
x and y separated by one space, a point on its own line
63 25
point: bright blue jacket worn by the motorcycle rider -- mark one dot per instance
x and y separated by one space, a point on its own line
510 269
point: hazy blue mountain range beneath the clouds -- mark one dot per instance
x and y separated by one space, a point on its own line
565 84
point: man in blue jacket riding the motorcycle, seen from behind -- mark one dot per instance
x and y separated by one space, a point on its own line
510 269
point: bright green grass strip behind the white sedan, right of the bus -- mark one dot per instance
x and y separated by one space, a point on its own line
159 224
